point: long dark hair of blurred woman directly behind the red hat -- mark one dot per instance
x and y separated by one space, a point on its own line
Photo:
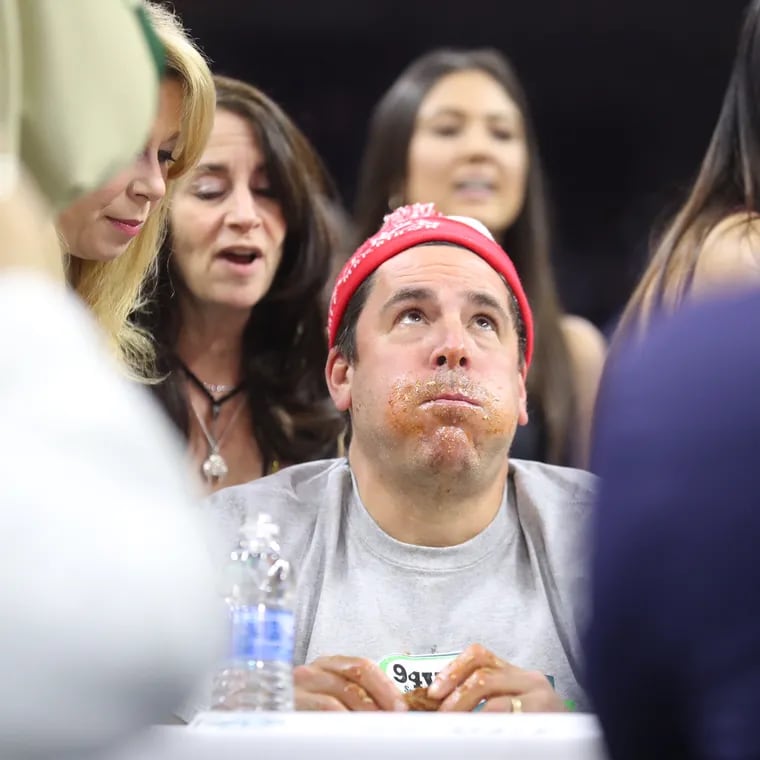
383 173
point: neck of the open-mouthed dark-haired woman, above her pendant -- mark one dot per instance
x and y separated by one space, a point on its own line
210 342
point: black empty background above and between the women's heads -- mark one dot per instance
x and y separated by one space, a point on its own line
624 94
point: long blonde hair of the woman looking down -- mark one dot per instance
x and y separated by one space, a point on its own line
113 289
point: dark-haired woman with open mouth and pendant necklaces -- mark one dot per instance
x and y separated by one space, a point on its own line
238 314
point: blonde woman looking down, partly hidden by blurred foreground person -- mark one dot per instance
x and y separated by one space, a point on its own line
112 236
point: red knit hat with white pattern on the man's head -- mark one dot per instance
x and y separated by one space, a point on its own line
414 225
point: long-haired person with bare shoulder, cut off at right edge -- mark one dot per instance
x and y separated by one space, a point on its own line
713 243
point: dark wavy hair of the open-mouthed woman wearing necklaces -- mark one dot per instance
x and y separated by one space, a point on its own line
284 342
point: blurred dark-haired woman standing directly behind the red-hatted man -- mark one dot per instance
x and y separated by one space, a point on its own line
455 129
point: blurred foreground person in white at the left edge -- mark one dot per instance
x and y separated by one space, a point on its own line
109 611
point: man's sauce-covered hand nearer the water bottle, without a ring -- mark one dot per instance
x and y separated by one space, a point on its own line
345 683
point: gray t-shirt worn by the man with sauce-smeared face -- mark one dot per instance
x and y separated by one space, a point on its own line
516 588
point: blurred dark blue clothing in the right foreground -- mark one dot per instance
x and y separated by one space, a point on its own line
673 648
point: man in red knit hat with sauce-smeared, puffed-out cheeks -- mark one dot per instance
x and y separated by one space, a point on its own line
427 557
